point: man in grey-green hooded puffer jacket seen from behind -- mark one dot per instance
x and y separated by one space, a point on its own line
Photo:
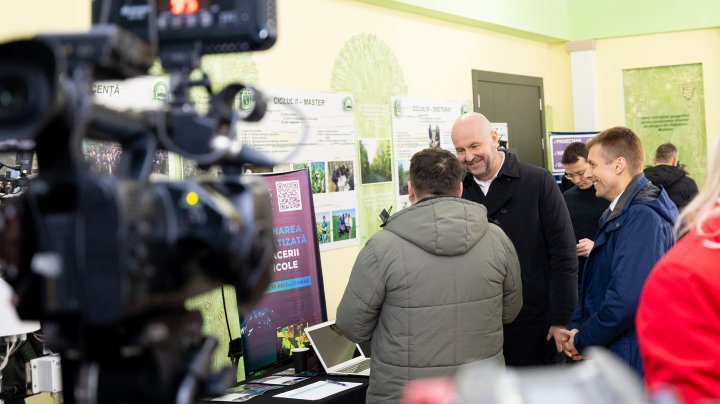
434 288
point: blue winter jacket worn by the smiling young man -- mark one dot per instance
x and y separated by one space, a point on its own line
629 242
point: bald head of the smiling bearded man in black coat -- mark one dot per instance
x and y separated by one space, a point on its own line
476 144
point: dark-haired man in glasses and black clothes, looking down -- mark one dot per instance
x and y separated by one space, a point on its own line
585 208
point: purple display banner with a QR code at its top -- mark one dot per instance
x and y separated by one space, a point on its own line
295 298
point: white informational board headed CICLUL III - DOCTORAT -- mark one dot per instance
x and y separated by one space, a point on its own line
418 124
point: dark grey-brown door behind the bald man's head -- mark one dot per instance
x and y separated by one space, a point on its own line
517 101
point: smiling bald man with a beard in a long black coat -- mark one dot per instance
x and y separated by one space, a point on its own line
525 201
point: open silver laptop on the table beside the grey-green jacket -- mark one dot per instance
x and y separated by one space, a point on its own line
338 355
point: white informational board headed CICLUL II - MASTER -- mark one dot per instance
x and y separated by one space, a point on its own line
315 131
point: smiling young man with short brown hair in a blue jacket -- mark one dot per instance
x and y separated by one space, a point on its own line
634 233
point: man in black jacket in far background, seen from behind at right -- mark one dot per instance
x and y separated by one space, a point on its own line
680 188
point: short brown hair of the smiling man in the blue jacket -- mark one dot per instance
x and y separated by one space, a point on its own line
621 142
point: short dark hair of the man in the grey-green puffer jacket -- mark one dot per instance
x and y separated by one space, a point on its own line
435 171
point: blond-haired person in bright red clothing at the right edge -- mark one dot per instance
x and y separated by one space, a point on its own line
678 319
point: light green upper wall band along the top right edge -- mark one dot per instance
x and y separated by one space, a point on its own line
569 20
